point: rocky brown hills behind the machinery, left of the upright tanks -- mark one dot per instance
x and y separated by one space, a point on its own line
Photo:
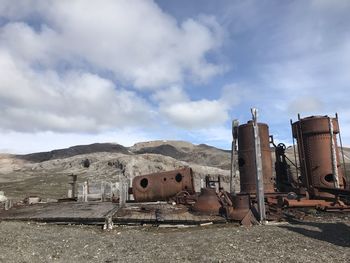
46 174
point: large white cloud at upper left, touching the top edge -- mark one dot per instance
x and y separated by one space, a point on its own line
134 39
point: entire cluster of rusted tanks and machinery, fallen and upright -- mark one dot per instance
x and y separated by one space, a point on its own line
320 185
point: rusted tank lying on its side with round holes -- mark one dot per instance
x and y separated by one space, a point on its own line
162 186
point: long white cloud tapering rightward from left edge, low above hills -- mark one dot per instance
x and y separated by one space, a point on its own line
73 101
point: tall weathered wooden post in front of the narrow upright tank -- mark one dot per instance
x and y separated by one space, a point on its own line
258 163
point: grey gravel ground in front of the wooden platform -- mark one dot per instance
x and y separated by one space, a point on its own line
294 242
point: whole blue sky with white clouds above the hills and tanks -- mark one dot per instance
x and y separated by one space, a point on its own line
125 71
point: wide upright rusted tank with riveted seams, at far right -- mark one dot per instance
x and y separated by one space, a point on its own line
315 153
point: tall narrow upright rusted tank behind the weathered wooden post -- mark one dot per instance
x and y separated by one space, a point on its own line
246 158
